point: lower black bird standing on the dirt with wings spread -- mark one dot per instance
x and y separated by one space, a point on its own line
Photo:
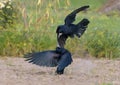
51 58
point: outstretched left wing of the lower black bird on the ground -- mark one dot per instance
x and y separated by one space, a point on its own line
45 58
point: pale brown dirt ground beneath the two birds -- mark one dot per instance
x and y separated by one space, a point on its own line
16 71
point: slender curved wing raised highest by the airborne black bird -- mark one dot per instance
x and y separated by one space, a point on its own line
71 17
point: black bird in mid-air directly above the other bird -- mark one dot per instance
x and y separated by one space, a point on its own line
69 29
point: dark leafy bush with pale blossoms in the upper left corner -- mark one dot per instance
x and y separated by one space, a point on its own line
8 14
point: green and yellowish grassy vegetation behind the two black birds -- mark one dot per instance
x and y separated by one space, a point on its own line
35 28
